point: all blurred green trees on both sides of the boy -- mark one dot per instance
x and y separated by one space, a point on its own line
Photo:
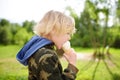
92 30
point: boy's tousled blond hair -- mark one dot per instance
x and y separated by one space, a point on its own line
57 21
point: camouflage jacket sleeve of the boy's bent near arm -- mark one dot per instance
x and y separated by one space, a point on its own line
50 66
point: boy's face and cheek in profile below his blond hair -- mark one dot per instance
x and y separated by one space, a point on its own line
59 40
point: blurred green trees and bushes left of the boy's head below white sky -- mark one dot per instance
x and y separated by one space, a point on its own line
14 33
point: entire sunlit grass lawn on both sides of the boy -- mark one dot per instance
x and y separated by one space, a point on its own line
11 69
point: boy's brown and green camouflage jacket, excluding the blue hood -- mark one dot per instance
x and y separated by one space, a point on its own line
45 65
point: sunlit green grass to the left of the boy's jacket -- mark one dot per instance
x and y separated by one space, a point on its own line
10 68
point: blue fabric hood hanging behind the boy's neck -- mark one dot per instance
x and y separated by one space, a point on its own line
30 48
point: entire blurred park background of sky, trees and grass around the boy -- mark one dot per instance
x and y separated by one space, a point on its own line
97 39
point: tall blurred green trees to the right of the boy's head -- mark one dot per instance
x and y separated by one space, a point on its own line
92 30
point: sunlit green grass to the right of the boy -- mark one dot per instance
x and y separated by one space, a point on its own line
99 69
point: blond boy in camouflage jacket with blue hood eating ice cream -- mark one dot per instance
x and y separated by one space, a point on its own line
40 54
